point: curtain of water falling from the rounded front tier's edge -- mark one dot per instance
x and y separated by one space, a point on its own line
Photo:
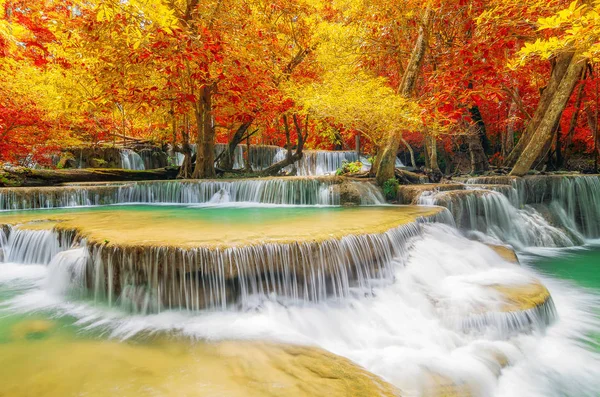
161 278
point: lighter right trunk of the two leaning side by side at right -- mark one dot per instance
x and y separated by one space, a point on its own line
551 117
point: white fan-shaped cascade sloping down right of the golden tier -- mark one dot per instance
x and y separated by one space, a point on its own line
492 213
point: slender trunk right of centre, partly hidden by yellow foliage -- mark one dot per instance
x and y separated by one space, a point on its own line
387 162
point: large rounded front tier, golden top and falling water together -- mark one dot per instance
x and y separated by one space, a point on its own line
308 255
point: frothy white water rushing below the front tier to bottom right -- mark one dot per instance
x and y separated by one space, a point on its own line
403 330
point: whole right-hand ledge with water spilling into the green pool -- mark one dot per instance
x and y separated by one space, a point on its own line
542 211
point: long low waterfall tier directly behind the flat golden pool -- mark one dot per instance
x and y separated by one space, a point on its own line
288 190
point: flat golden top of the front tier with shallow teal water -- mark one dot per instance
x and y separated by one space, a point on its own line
187 227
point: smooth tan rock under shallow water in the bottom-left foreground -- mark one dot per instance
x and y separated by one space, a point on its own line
59 368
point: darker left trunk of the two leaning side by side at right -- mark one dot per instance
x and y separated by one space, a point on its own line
559 69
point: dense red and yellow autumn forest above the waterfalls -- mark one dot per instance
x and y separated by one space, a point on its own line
450 85
